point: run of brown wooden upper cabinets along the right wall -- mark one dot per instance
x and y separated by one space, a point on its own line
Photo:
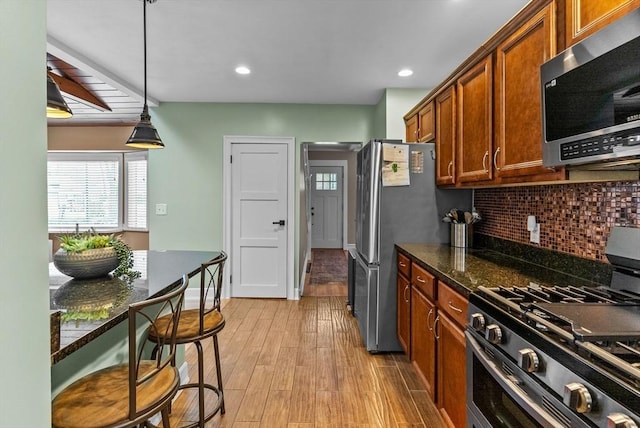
488 112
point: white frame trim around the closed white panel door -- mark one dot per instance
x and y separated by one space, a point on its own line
228 140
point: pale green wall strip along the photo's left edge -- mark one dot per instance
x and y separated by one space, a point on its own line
24 295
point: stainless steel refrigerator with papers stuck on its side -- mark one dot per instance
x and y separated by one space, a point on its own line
390 214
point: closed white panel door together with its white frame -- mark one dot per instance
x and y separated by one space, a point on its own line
259 216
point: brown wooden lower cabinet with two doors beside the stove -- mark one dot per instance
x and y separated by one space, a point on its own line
437 346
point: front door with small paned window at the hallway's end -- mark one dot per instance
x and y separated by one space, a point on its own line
326 206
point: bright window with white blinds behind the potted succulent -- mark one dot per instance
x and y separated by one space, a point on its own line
88 190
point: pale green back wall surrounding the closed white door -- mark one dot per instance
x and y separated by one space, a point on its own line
187 174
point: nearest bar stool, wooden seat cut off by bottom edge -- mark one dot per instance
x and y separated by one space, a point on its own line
129 394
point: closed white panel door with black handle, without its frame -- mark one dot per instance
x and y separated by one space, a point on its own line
259 220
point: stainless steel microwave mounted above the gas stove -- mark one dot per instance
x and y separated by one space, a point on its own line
591 98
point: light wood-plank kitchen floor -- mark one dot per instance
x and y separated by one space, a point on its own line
301 364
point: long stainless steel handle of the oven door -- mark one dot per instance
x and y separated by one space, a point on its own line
507 383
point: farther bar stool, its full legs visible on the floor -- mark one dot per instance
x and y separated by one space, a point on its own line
196 325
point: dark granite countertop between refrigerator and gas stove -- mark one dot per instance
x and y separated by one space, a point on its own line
467 269
